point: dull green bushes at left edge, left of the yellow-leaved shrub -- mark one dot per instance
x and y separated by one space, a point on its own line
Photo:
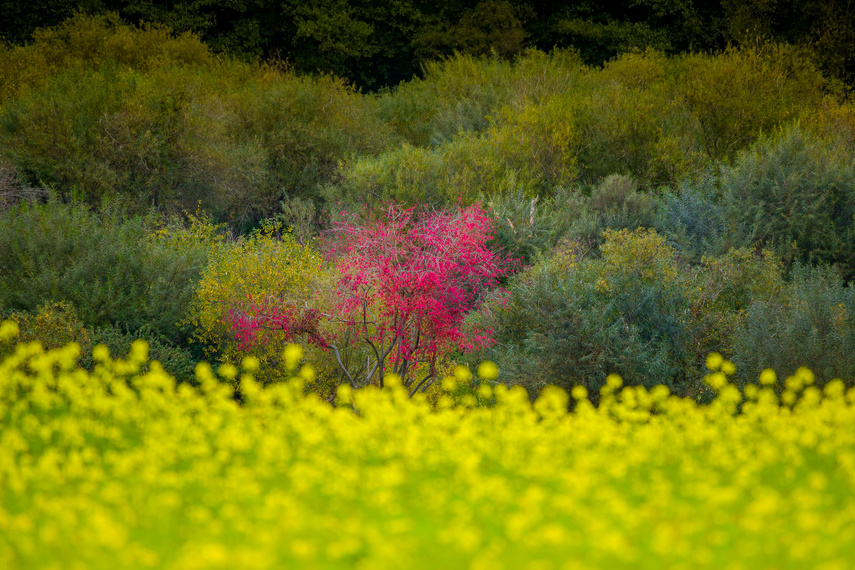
113 271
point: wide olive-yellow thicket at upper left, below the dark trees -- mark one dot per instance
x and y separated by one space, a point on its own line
247 141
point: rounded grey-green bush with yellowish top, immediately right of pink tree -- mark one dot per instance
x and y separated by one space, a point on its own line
573 319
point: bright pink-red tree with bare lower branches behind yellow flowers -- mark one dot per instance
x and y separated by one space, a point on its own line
407 282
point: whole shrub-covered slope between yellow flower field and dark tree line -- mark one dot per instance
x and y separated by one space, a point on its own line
638 215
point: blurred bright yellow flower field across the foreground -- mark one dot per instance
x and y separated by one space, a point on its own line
123 469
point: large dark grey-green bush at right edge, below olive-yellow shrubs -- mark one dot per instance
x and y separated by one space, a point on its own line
795 194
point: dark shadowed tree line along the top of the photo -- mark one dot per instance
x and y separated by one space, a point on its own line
376 44
